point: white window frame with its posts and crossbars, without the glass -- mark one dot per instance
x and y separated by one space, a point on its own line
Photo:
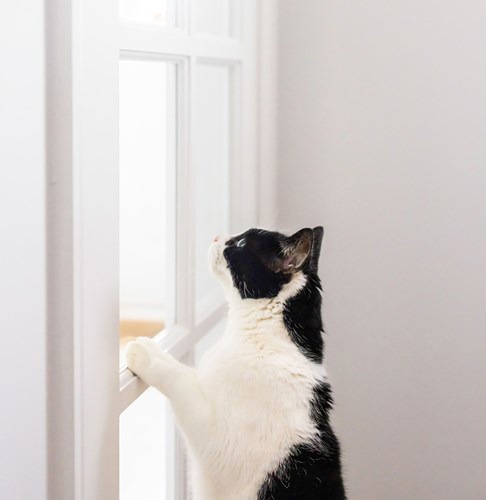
86 391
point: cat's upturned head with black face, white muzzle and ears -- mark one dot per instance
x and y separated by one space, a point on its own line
259 264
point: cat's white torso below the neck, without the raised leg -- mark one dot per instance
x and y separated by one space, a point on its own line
261 387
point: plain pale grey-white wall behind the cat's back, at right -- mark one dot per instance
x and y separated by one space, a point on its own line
383 141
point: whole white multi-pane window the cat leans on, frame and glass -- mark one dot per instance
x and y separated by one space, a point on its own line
157 120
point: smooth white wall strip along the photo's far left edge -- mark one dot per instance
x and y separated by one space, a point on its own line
22 252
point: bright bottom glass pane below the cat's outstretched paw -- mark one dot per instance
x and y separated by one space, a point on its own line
144 448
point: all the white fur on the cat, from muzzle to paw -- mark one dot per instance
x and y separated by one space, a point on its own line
249 401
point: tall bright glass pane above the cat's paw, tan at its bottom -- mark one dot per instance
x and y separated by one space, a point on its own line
147 146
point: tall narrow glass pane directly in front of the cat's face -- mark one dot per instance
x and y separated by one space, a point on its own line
211 163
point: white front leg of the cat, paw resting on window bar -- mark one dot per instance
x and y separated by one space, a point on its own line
178 382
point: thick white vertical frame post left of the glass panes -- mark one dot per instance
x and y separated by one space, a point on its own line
82 41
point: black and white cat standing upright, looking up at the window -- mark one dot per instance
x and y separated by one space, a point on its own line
255 414
